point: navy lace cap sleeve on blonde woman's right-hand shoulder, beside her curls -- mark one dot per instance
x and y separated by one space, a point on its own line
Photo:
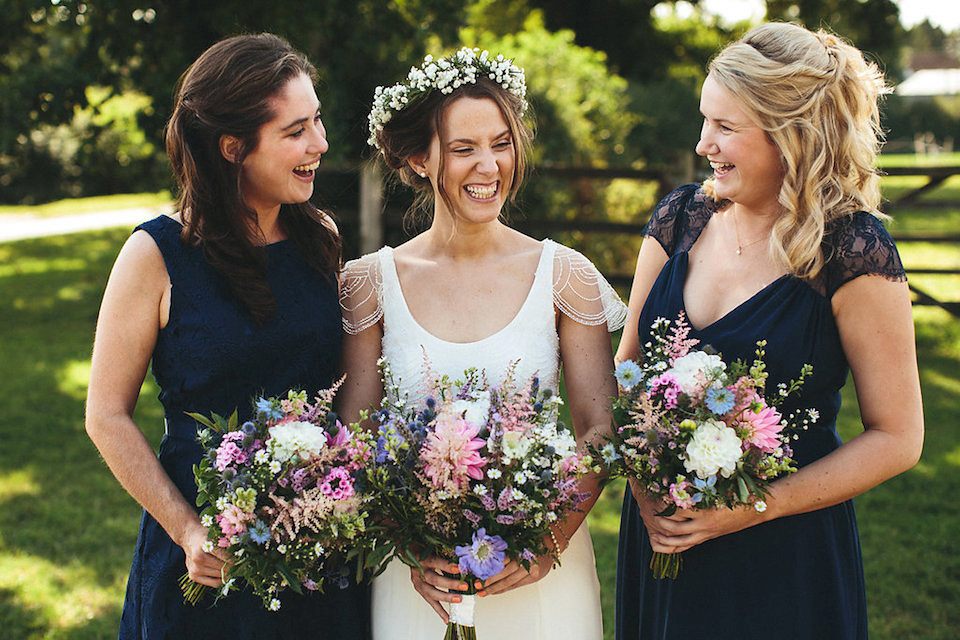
859 245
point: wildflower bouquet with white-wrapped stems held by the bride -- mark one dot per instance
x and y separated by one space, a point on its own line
476 474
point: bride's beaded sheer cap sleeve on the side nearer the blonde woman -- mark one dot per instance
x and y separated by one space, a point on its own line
583 294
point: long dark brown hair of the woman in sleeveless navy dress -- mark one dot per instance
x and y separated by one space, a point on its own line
227 91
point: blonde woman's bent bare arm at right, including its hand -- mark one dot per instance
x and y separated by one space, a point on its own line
876 328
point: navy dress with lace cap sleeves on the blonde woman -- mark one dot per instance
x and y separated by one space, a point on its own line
798 577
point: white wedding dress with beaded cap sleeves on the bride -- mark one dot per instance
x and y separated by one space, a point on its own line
564 605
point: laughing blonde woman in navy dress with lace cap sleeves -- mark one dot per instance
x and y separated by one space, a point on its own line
783 243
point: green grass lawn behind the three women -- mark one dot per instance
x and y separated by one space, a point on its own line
67 529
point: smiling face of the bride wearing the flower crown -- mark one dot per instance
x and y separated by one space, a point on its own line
479 157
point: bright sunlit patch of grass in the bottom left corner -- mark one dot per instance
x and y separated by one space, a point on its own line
65 595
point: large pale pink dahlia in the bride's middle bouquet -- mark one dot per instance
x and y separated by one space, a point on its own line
450 454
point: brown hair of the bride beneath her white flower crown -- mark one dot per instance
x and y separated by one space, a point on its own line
409 132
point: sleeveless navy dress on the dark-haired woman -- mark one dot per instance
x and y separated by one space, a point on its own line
212 357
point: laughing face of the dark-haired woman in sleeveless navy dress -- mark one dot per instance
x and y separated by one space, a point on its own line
280 169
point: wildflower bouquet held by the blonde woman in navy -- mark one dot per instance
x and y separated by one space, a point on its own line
696 434
